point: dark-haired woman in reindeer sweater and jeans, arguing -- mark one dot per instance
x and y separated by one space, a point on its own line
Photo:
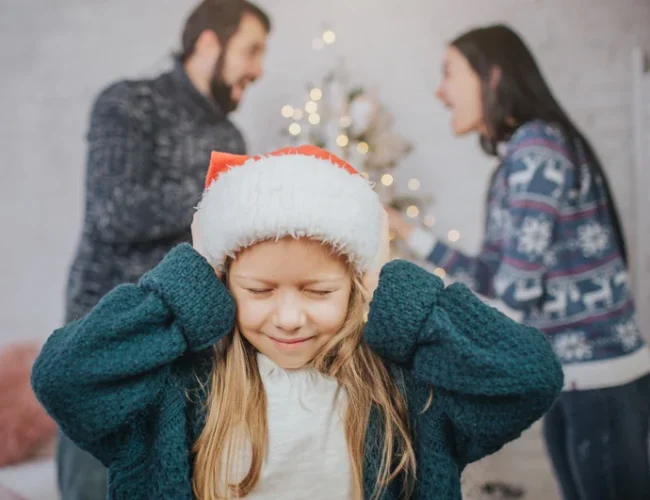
554 250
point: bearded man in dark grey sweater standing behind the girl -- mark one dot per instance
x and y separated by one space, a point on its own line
149 148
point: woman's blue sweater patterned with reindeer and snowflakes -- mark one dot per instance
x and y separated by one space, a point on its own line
549 251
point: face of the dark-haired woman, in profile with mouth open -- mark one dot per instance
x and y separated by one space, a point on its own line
460 92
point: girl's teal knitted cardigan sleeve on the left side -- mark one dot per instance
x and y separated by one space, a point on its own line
97 374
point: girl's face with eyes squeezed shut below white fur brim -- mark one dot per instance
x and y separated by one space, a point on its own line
292 296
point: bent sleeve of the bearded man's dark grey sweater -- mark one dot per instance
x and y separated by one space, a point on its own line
128 198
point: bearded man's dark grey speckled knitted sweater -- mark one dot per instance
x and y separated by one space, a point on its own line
149 145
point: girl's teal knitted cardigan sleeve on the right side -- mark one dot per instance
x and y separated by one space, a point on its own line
492 376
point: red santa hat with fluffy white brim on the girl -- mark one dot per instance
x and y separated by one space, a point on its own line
300 192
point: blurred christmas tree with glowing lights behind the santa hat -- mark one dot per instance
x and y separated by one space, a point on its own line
351 122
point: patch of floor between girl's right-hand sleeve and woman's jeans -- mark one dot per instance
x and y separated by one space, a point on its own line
521 463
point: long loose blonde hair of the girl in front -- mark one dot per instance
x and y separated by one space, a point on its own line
236 381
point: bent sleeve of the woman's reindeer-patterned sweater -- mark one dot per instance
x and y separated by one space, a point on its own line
539 173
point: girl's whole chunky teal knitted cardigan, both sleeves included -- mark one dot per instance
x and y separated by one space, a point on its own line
123 382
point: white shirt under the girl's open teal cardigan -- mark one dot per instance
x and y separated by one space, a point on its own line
307 454
